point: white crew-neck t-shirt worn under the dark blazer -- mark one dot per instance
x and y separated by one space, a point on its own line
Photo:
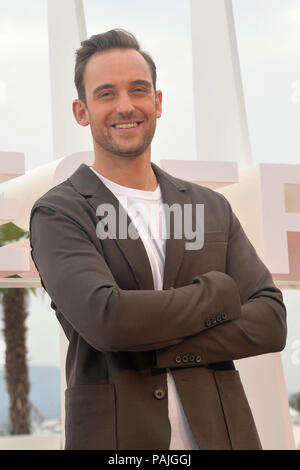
146 213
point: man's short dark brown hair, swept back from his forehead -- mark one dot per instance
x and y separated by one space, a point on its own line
115 38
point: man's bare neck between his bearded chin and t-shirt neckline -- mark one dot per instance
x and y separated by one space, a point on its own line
132 172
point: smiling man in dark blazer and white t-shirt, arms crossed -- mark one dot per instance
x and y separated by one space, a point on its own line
153 327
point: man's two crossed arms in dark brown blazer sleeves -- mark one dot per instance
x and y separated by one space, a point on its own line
82 287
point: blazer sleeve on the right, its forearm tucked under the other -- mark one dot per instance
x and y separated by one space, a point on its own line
261 327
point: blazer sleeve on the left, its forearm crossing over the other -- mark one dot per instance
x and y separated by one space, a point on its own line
84 291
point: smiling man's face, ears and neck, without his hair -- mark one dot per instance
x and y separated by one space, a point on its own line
120 102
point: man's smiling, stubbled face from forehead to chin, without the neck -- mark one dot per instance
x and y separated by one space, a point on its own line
121 104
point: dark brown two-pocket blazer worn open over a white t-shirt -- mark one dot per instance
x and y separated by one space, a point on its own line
218 304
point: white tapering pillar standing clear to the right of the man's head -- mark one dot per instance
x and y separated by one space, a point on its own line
221 122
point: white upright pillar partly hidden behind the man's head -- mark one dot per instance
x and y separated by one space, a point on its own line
67 28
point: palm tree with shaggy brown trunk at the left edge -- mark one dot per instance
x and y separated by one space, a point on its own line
15 311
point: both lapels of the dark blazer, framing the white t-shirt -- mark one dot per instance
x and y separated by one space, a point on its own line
173 191
